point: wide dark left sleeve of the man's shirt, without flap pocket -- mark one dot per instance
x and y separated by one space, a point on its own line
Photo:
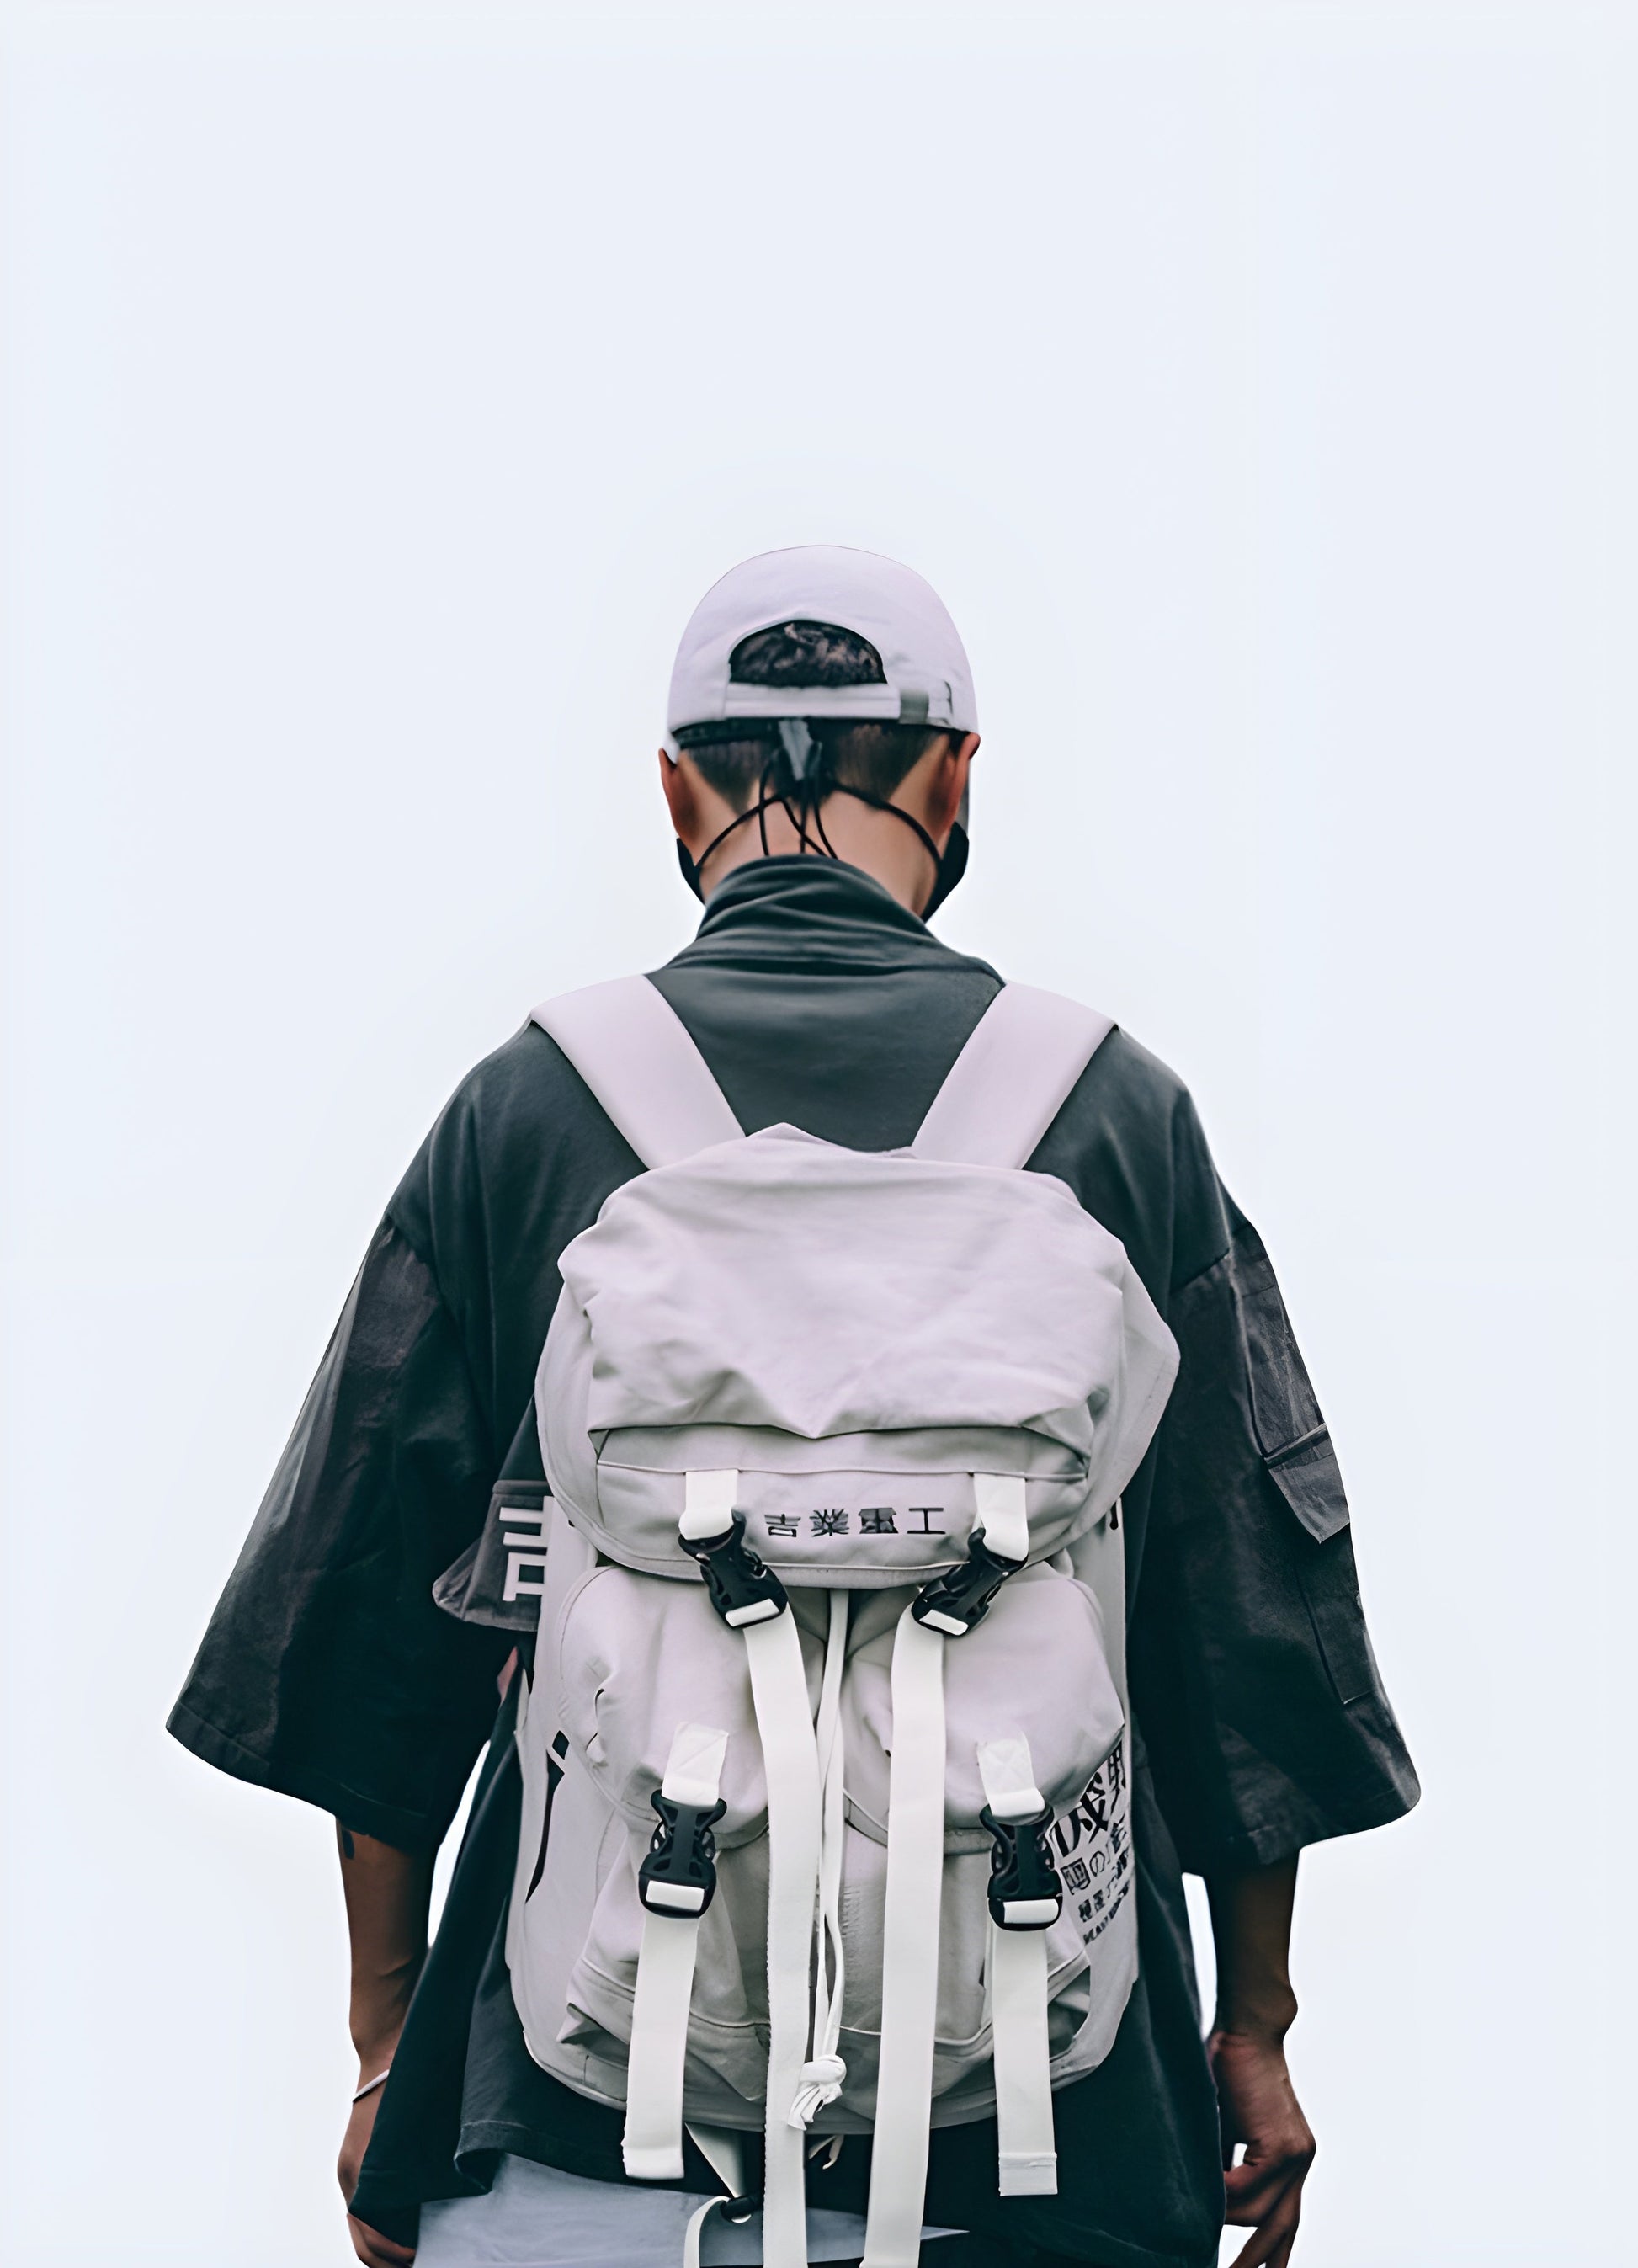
328 1673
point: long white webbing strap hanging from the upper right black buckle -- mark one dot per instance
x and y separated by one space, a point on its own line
911 1949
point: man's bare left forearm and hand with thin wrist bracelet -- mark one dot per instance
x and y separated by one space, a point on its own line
389 1895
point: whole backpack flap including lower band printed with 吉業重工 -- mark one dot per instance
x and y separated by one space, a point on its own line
856 1335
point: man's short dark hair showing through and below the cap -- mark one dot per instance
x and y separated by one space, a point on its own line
870 756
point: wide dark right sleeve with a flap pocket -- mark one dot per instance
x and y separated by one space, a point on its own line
1253 1677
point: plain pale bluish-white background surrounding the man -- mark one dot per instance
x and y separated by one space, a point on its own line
1256 384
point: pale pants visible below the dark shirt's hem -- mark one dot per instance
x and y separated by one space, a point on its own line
543 2219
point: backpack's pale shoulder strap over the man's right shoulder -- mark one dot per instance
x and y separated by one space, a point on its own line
1013 1078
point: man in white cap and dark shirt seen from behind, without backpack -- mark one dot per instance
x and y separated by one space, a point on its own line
816 775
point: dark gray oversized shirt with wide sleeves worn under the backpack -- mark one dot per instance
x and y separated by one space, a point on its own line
328 1670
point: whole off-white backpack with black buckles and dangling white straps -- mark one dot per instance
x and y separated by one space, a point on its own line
827 1811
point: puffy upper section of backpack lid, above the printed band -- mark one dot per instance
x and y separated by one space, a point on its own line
786 1283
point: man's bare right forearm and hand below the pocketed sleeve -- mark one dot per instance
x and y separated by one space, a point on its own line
1256 2008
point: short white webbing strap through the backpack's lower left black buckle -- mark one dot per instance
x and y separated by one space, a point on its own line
652 2144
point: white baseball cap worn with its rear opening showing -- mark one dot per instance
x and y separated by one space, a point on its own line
856 591
